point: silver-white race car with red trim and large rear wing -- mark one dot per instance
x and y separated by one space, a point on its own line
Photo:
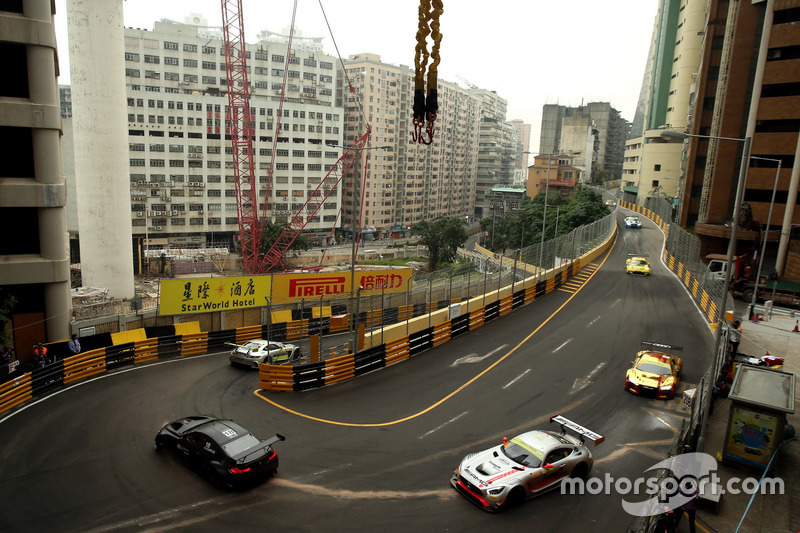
525 466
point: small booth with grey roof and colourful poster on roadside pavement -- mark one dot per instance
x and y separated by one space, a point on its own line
760 400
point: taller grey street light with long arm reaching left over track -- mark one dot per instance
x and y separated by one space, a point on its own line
716 362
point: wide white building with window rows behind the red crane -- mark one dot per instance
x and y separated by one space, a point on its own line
181 169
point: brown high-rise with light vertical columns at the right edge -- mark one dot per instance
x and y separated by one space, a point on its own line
748 85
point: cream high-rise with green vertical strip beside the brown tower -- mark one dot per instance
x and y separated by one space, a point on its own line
652 167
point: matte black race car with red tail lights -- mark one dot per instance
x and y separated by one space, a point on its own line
227 454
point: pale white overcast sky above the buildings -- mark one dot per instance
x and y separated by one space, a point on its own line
532 52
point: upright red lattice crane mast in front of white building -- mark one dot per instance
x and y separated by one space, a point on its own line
240 128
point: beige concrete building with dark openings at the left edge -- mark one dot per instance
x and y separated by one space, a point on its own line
34 263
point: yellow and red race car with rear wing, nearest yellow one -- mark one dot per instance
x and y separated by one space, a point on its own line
655 372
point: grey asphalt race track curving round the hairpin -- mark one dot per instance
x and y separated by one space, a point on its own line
376 452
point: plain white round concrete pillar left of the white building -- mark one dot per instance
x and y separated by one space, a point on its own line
99 107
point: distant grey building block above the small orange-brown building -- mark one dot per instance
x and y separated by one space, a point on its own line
593 135
